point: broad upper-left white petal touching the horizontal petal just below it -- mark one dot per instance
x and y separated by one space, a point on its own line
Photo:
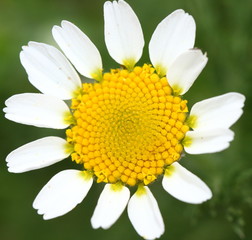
49 71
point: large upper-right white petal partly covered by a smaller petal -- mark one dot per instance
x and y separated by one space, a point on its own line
174 35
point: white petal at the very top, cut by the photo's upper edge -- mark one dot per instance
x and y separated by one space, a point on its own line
123 33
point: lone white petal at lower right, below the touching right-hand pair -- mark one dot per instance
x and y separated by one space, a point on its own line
184 185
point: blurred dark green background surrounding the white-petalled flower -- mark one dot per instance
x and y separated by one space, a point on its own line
223 31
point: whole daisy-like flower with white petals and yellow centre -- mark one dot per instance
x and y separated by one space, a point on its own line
129 127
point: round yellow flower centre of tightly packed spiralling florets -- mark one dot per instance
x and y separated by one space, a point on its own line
128 127
